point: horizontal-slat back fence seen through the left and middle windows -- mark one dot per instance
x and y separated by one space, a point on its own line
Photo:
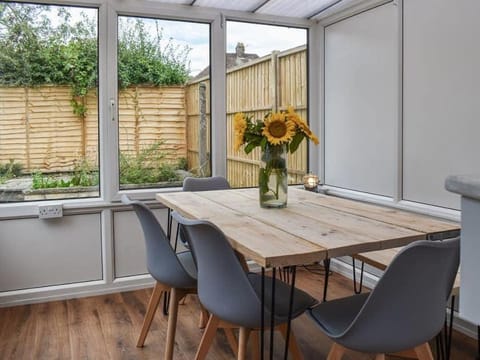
39 129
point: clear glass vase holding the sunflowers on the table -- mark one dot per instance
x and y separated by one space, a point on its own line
273 177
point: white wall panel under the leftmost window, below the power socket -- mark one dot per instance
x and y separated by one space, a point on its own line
36 253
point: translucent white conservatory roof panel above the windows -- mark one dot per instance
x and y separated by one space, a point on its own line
304 9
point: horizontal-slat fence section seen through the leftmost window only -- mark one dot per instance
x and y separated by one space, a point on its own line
39 130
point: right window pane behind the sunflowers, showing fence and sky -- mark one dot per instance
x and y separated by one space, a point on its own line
264 74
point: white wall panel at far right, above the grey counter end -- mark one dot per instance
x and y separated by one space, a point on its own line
441 97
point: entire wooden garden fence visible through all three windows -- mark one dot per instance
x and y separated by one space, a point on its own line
39 130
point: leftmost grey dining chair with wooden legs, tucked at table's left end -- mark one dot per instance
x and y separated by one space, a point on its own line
173 272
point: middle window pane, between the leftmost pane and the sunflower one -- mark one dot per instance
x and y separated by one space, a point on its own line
163 101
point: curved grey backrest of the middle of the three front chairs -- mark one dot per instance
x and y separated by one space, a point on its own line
223 286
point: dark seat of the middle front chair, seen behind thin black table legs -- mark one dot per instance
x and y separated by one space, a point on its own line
301 300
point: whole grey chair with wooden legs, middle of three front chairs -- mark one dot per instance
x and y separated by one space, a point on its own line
232 296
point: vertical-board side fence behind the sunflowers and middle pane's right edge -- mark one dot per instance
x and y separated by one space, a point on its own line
269 83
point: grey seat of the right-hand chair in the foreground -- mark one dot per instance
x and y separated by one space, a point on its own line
335 316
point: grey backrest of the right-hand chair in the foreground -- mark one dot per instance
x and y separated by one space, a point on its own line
407 307
